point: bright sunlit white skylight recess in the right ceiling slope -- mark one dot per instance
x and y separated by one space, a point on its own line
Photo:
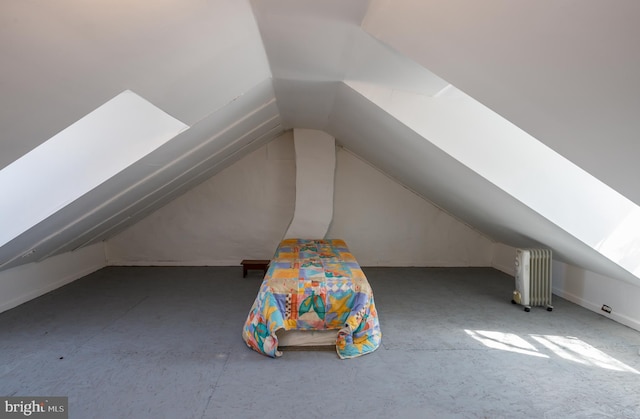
519 164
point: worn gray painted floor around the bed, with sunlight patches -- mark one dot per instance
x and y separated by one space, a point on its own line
130 342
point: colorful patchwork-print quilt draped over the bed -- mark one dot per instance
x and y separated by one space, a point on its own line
314 285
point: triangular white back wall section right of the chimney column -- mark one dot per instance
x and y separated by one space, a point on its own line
385 224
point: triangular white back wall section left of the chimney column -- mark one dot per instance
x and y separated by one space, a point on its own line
240 213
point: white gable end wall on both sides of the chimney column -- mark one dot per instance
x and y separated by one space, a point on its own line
243 212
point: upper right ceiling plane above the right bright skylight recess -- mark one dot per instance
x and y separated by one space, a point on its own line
563 71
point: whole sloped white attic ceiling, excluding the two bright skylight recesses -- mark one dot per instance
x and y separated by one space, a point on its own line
238 73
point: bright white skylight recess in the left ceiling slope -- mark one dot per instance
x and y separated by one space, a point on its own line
79 158
